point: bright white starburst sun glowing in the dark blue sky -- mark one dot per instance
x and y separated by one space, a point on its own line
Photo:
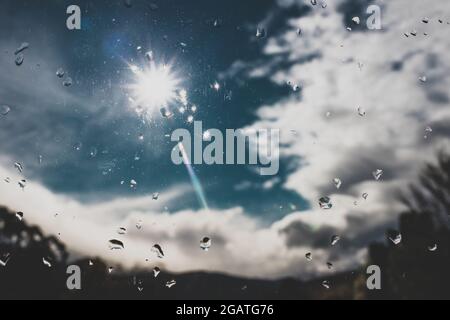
154 87
